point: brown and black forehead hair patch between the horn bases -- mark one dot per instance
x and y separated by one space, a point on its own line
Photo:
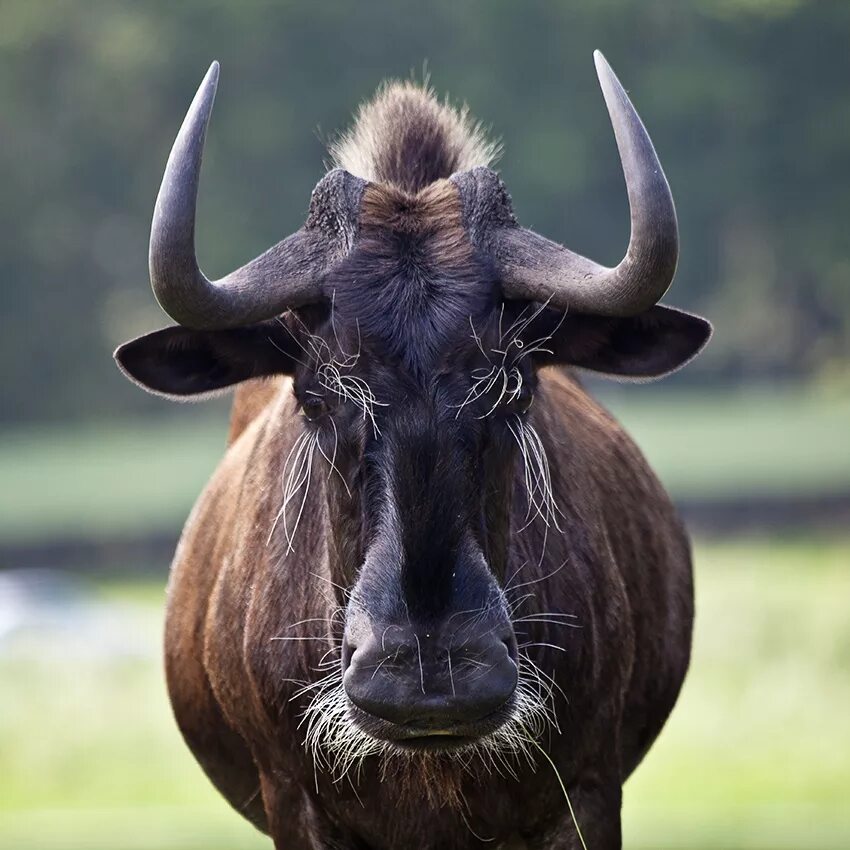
413 281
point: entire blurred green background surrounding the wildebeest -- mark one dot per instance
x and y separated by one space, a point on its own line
748 102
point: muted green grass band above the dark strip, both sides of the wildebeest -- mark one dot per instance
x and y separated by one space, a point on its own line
141 476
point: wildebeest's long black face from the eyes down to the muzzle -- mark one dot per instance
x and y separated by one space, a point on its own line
420 464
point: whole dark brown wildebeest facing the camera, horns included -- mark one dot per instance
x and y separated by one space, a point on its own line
432 579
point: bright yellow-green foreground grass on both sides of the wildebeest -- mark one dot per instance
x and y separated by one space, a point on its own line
755 757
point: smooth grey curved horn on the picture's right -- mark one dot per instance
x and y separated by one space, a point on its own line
535 268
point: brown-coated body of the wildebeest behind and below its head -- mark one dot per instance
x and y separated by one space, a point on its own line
627 580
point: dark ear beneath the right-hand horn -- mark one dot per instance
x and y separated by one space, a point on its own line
650 345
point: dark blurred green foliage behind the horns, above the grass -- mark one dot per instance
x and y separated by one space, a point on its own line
747 101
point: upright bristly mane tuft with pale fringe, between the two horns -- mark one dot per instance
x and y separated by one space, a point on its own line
407 138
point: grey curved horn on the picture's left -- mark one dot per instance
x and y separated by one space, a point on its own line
284 276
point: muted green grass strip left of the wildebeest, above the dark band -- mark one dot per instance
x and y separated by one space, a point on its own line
127 477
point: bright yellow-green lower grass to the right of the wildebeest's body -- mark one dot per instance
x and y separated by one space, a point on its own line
756 752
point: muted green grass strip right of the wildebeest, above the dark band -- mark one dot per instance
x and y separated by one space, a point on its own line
746 443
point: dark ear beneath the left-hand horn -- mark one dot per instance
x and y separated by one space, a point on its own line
181 363
